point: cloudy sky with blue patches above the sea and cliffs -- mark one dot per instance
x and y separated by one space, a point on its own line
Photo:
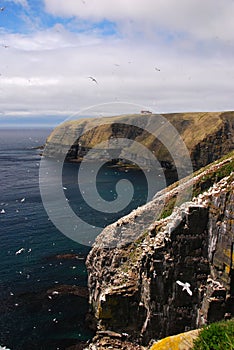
165 55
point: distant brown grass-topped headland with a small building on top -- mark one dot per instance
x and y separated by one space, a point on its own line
207 135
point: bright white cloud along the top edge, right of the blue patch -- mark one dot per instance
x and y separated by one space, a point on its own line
198 18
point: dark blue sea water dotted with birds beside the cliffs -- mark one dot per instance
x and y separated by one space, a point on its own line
28 318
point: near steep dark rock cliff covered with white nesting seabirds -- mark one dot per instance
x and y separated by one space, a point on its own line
133 284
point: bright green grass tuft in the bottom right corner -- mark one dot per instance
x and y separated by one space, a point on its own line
217 336
